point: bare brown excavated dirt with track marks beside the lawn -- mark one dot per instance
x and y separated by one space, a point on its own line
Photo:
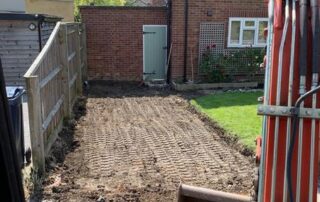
132 143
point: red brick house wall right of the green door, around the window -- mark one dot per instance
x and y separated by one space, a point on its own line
198 12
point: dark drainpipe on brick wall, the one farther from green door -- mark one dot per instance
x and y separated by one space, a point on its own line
186 18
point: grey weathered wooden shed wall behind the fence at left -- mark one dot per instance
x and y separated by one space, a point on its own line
20 45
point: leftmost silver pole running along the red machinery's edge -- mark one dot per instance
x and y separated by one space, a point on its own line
266 101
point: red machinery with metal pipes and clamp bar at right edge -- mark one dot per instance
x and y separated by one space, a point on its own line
289 158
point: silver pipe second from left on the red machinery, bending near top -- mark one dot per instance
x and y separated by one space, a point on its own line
278 97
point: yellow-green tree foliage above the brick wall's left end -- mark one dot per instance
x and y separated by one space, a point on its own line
78 3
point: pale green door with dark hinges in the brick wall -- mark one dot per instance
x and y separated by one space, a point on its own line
154 52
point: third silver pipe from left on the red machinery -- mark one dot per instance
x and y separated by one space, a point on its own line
291 73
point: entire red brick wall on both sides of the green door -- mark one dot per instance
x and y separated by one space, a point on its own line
115 40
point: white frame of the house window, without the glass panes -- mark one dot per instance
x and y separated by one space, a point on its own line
242 28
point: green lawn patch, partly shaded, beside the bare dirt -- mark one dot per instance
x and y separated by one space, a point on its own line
236 112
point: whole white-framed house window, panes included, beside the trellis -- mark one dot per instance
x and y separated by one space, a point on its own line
244 32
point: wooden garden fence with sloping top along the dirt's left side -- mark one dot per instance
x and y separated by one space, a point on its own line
54 81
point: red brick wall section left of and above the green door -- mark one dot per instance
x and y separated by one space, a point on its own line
115 40
